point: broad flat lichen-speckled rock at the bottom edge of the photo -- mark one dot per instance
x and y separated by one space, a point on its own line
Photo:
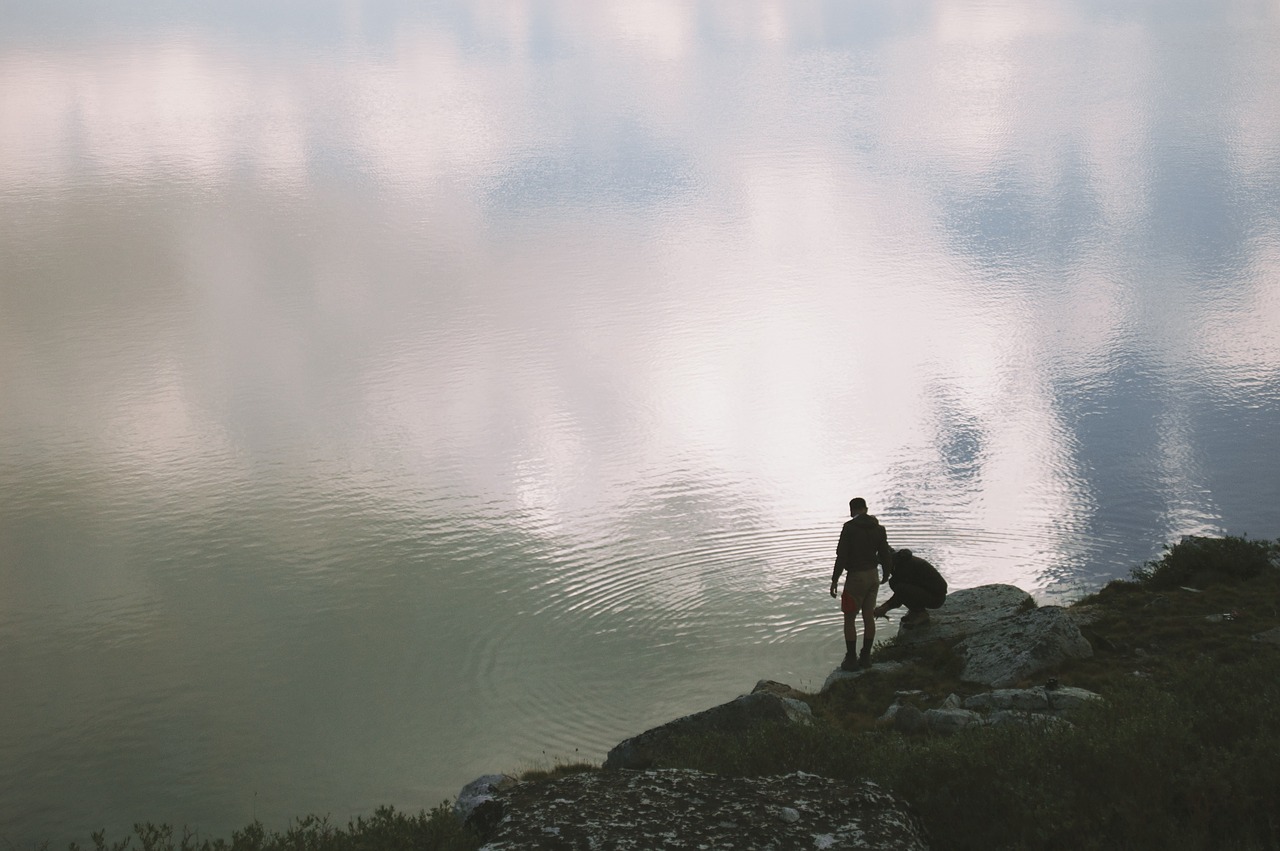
685 809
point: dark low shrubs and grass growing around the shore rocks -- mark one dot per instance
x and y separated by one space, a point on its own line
1185 754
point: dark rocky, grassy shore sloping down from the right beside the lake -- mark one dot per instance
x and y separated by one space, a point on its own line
1144 716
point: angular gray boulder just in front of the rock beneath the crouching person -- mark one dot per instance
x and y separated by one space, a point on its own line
1021 647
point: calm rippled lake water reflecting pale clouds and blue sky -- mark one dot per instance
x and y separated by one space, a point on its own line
394 394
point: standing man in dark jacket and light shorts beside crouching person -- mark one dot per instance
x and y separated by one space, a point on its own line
862 545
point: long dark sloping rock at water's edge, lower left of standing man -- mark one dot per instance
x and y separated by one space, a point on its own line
738 716
